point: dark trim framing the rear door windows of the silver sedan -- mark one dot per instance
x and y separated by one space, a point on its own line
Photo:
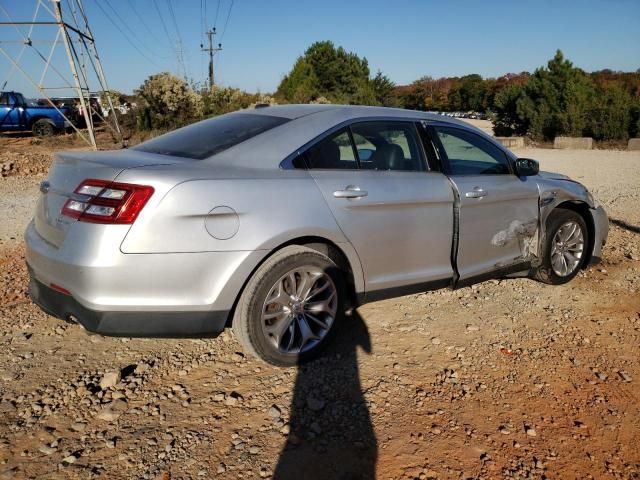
287 163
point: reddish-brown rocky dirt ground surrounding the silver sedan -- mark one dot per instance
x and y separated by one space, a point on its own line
505 379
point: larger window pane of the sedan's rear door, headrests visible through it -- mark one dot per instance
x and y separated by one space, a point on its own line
388 146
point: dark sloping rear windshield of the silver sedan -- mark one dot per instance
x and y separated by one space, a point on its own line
206 138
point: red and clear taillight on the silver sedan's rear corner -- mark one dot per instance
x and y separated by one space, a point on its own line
100 201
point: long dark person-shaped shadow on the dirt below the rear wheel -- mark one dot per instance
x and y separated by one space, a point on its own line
331 430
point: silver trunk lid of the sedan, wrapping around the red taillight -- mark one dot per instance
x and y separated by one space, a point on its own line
68 170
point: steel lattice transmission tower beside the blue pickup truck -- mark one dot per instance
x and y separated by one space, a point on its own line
66 21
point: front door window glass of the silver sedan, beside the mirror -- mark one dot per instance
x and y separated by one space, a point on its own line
470 154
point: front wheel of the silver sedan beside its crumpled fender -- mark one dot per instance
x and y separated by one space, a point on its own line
565 247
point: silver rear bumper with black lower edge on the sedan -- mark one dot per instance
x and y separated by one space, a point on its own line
112 293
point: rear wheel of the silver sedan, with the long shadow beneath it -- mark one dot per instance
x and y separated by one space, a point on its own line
280 313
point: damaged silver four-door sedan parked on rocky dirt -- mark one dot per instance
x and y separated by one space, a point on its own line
273 221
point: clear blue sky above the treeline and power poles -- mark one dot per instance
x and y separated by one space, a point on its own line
261 39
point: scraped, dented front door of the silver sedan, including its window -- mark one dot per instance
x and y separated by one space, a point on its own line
498 211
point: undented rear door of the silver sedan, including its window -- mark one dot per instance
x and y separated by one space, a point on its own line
396 213
